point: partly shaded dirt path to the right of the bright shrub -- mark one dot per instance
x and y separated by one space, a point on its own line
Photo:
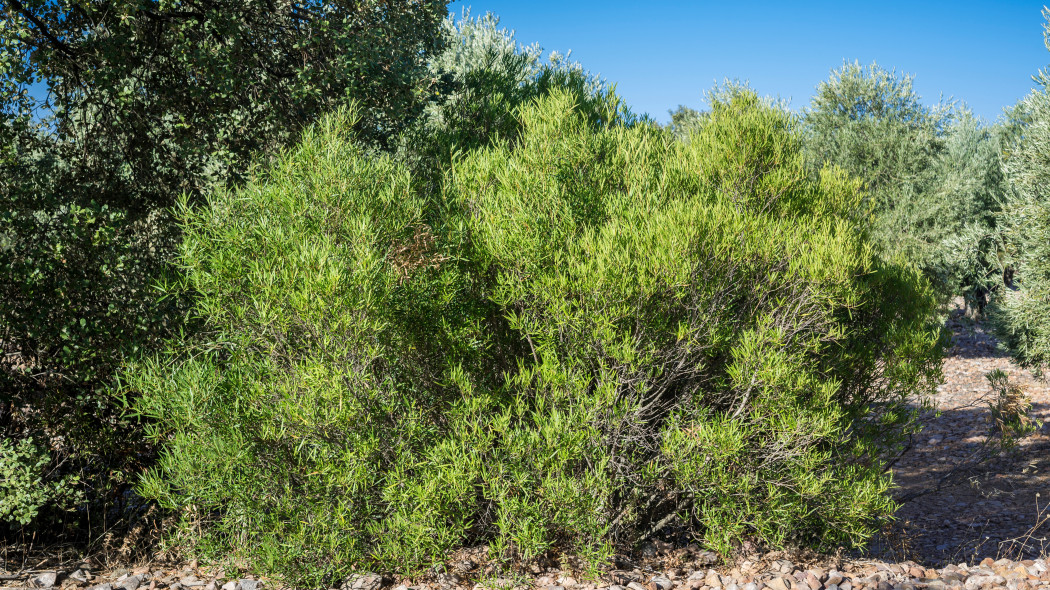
996 511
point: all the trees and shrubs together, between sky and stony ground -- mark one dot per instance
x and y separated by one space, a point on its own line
392 294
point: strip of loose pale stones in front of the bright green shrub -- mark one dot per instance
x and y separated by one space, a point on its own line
759 574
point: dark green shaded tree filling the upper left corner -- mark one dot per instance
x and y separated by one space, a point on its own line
148 101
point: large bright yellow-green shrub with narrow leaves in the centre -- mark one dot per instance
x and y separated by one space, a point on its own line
591 336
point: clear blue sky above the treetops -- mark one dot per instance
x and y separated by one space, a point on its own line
662 53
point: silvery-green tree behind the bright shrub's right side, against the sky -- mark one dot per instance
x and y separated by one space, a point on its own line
933 174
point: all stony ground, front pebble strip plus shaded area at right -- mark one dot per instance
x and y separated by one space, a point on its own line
972 524
